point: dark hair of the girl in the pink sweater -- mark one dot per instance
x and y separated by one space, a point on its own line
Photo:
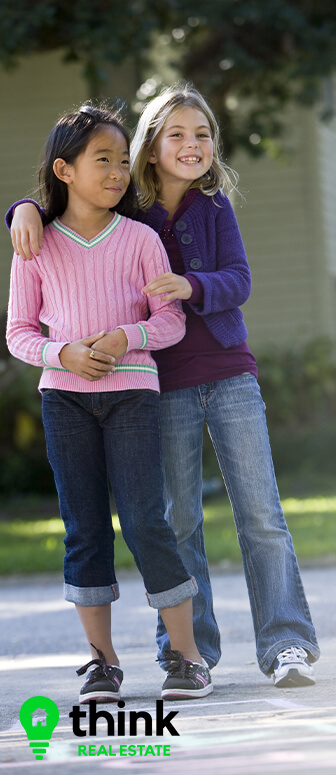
68 139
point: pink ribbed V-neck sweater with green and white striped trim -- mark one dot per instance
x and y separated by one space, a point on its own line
78 288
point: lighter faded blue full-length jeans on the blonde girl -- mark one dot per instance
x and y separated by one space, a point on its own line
235 416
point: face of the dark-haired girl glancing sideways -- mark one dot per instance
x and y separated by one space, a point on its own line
99 177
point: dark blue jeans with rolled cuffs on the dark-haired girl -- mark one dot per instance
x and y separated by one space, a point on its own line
93 438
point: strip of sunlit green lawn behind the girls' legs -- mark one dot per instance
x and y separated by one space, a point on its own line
35 544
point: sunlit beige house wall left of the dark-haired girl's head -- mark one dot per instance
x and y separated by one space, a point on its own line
32 98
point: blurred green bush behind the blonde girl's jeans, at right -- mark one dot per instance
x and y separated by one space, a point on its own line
299 390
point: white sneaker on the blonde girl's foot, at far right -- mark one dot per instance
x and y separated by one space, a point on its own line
292 668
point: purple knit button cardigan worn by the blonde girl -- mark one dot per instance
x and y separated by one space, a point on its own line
212 250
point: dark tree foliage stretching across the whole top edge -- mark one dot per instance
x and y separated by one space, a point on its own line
250 58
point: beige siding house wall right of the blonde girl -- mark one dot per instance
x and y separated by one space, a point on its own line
280 221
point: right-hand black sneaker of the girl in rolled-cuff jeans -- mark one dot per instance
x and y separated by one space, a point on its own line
185 679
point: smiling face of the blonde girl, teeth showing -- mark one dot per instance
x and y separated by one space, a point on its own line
183 150
